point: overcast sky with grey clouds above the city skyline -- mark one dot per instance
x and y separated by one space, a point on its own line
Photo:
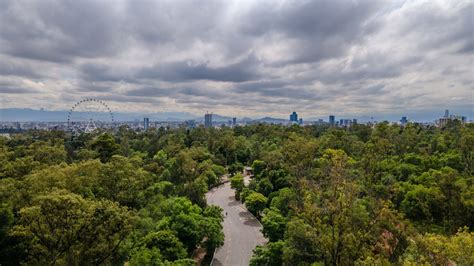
240 58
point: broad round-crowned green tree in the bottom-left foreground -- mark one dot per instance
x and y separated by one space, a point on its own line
64 228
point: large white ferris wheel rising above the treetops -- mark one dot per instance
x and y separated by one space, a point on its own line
88 115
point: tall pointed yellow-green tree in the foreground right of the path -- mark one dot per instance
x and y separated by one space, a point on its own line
335 225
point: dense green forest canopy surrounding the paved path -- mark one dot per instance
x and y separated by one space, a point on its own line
357 195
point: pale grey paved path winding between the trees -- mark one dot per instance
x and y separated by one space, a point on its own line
241 228
